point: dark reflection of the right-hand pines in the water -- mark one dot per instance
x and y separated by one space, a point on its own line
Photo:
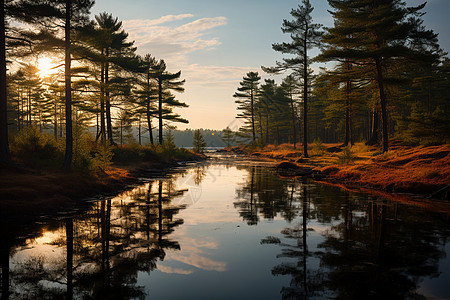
367 248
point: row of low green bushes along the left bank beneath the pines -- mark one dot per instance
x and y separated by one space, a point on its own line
33 149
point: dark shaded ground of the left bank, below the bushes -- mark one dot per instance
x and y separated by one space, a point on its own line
30 193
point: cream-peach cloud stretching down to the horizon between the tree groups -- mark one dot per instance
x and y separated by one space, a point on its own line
173 38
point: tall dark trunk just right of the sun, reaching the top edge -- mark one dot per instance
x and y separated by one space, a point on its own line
69 138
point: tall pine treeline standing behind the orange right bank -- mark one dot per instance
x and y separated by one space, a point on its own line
390 80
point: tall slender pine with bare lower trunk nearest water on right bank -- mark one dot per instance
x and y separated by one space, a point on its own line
305 35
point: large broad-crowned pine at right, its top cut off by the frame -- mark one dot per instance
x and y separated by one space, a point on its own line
372 34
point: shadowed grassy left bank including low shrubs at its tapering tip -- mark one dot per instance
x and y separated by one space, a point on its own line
33 189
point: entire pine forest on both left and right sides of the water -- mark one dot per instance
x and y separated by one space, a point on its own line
390 79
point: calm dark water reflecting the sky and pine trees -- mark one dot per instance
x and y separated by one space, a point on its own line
231 230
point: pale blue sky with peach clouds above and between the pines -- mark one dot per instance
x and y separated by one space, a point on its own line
216 42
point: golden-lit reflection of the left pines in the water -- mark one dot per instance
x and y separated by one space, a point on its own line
99 254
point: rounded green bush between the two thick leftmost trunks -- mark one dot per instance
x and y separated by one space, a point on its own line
34 148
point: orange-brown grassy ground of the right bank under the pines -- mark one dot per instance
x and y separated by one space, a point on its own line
403 169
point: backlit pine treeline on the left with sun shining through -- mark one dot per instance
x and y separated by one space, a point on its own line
105 83
